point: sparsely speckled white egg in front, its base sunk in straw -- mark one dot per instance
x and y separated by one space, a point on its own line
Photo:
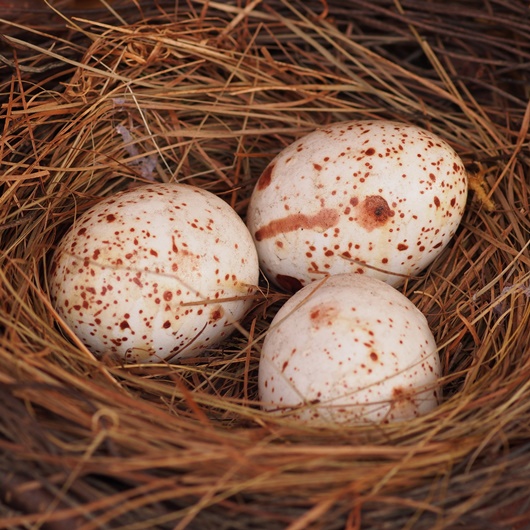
349 349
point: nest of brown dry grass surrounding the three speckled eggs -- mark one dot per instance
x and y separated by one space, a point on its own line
208 95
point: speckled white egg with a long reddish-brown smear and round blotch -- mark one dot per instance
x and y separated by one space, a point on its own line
372 197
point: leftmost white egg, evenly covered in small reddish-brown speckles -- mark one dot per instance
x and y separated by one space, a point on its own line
156 273
